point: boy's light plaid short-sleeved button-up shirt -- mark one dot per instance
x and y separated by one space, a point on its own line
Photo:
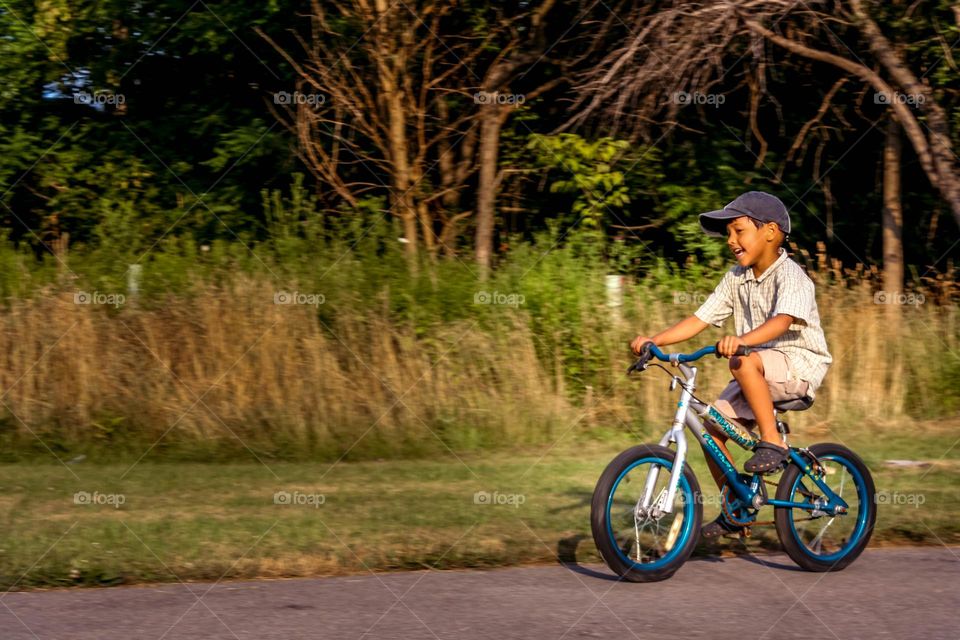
782 289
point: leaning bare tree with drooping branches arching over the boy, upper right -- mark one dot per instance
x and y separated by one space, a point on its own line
685 46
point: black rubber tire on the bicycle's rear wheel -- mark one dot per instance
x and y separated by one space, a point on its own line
783 516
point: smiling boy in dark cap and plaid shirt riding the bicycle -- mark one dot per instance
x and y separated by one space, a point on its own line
774 309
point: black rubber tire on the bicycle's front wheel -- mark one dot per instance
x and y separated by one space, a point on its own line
602 534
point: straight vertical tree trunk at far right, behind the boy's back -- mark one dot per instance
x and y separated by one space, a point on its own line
892 219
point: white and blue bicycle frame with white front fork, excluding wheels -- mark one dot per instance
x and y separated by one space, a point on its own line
750 492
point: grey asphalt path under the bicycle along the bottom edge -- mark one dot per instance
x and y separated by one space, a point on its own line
887 593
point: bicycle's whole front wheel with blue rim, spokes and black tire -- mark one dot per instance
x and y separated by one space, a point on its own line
645 541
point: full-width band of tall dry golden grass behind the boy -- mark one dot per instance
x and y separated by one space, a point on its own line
229 368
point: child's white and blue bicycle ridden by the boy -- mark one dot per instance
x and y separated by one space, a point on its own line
647 508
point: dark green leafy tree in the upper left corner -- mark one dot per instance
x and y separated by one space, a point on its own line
128 115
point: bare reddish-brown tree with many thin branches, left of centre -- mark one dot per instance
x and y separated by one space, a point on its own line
389 106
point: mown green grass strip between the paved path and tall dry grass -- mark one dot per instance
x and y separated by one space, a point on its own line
192 521
